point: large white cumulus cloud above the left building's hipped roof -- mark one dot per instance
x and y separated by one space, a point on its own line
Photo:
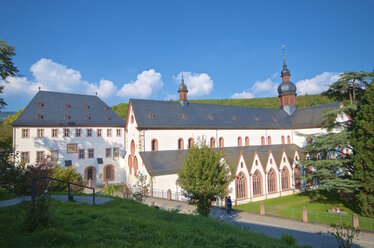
52 76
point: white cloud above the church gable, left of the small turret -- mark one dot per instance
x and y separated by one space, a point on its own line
144 85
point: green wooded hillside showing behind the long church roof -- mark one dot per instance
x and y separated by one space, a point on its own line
269 102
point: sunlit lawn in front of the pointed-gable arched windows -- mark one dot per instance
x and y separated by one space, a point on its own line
317 204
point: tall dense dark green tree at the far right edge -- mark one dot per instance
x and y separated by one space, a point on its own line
363 157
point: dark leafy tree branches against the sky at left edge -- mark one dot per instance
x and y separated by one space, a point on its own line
7 68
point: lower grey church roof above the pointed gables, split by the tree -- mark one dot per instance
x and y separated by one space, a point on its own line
170 162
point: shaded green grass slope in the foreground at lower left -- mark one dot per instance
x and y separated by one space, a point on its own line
124 223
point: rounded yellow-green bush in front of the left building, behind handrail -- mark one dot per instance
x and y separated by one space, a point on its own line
68 174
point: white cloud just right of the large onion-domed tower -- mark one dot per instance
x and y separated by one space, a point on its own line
316 84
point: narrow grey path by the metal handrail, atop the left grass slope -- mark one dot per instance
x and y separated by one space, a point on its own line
79 199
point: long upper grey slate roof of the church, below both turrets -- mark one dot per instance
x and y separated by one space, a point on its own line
152 114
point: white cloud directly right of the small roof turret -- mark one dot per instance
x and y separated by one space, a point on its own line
197 84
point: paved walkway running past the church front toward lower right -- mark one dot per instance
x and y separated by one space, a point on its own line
315 235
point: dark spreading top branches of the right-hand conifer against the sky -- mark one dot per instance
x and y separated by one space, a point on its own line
351 85
